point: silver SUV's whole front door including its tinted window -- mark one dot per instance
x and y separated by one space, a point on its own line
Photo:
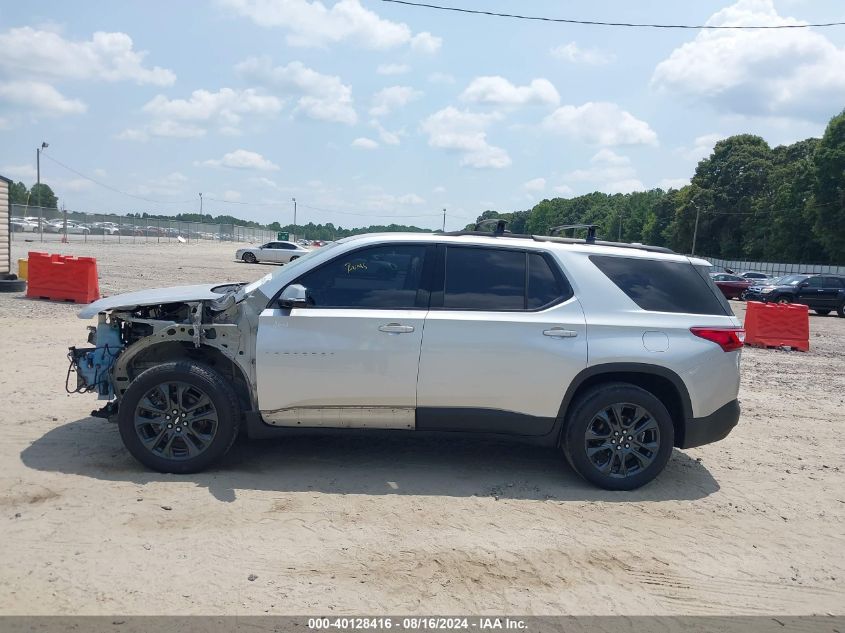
350 358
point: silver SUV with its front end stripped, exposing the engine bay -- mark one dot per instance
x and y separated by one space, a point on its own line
615 353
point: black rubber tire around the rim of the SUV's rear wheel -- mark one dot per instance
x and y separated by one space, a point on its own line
581 414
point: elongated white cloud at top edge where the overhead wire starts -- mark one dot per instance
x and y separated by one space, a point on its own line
313 24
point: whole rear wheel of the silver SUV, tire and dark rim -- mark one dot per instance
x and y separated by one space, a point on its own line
591 412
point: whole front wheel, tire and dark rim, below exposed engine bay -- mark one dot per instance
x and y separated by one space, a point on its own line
167 444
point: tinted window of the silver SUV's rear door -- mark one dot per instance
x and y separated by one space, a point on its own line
497 279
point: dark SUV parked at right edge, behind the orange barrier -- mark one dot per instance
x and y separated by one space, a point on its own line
822 293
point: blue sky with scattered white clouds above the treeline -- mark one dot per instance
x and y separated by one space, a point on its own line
369 112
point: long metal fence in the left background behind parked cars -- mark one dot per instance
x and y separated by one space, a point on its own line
48 225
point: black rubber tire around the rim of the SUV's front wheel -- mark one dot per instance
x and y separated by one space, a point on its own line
205 378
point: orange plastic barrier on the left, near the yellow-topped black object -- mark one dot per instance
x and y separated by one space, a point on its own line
62 278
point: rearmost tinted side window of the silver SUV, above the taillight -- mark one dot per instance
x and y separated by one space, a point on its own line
663 286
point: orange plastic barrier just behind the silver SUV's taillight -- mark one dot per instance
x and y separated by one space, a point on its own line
777 325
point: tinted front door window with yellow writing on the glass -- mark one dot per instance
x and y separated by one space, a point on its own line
380 277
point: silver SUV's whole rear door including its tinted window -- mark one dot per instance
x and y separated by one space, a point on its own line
503 340
